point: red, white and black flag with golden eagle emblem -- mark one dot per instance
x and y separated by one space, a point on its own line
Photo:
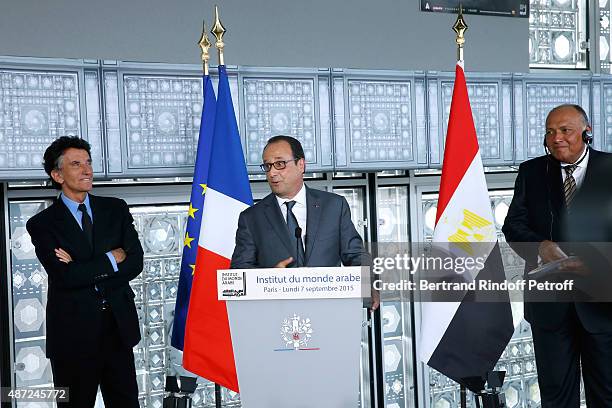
465 339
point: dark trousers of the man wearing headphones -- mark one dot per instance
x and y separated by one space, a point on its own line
559 356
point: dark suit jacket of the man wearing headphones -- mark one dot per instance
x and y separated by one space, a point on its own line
538 213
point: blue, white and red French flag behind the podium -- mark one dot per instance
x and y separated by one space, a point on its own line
208 348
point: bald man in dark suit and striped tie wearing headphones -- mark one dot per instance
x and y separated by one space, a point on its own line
558 198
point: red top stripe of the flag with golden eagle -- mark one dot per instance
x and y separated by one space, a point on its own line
461 142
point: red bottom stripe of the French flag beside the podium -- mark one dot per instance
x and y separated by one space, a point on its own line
209 336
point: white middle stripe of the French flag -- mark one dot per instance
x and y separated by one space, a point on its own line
218 233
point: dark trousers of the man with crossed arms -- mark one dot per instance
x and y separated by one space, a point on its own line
111 367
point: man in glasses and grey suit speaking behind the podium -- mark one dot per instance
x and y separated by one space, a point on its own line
272 233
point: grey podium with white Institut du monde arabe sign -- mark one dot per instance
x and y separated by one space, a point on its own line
296 335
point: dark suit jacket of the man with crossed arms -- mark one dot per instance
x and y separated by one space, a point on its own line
73 305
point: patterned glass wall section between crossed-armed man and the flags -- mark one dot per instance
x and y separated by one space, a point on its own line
161 230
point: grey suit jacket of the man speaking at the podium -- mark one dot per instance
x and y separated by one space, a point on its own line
262 238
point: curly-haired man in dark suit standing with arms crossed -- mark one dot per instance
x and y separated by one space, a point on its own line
90 250
